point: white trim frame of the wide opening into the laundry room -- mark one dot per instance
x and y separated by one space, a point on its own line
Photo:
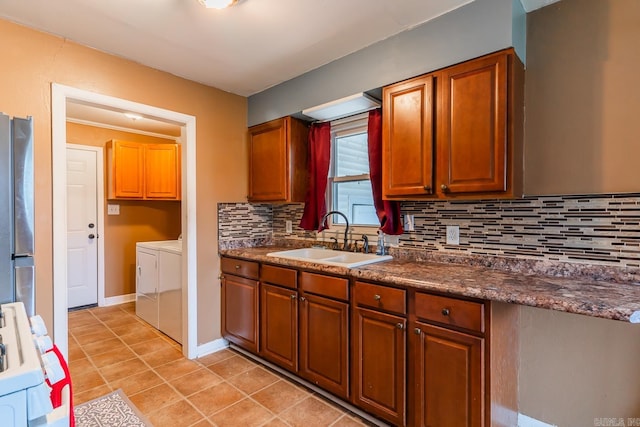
60 94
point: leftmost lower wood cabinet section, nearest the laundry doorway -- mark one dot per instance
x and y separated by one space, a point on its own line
240 299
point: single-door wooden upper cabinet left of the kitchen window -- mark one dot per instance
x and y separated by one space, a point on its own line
278 170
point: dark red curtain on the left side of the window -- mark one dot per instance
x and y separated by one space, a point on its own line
319 158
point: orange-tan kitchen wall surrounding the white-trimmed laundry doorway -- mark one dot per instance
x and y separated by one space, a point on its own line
33 60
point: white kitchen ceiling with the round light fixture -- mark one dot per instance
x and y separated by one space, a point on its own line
244 49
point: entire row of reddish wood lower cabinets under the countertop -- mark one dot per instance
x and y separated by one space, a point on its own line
405 356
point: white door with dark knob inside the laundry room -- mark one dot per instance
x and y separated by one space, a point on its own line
82 228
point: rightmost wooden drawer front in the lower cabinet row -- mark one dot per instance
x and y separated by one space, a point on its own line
450 311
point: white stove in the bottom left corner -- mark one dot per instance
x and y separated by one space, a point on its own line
25 397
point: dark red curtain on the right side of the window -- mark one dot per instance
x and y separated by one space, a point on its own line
388 211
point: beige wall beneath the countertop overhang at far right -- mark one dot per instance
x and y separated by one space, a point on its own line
574 369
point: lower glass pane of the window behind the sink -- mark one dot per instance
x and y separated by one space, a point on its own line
355 200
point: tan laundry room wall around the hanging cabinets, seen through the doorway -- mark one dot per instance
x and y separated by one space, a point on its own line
138 221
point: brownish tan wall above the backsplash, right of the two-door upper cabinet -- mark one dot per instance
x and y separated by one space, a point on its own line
582 100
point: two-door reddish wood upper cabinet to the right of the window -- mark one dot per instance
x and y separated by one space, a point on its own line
474 113
